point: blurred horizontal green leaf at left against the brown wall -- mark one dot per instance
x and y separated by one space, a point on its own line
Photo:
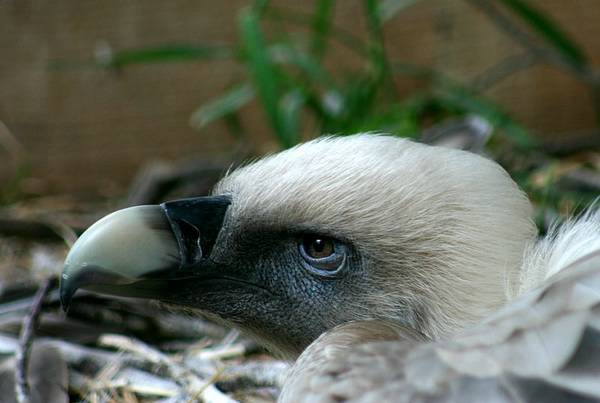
168 53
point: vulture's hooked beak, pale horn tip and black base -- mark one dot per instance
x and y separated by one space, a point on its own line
146 251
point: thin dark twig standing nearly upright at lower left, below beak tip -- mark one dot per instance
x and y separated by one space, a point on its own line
30 323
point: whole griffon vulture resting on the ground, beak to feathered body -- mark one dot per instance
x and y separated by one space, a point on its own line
419 267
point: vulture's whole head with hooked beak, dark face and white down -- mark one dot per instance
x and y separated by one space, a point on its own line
335 230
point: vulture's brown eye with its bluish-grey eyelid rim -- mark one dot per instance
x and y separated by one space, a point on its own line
322 255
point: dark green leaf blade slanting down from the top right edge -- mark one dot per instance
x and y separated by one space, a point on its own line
548 30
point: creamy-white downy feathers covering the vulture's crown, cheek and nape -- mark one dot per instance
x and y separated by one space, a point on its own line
449 227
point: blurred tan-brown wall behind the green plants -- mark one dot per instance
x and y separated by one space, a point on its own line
87 130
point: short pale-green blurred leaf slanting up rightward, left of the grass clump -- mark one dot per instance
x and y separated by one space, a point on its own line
225 104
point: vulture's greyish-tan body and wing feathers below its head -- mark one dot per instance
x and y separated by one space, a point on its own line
543 346
